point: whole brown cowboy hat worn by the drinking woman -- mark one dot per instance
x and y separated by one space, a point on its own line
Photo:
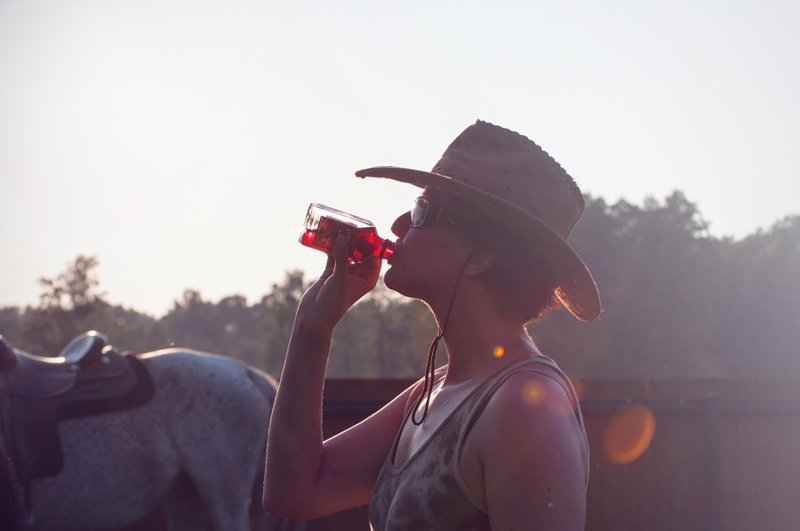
520 185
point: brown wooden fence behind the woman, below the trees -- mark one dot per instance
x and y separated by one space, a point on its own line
721 455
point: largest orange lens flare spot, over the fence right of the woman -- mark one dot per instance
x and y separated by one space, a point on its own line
628 434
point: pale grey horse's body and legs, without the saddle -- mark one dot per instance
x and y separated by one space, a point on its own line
195 449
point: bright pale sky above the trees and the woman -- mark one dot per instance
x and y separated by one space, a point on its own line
181 142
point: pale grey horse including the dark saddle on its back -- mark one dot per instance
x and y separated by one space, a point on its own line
177 430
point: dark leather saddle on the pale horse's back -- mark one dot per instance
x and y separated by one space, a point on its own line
89 377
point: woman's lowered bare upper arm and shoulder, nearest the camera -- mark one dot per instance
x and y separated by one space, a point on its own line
532 451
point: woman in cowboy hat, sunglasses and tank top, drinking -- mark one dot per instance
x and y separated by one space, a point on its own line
494 439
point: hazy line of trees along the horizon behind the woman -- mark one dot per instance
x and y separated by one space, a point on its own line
677 302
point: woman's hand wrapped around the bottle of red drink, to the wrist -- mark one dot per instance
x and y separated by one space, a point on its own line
340 286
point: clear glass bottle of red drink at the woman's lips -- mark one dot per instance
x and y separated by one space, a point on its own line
365 240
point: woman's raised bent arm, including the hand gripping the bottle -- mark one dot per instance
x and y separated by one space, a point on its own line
304 477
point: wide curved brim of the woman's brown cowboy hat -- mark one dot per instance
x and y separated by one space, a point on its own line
577 290
